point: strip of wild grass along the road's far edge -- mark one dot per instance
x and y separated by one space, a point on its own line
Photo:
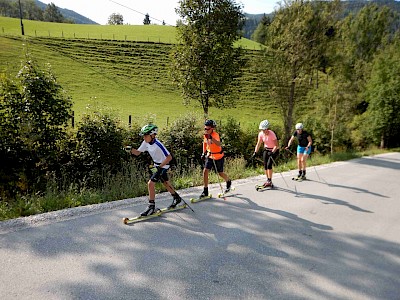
130 183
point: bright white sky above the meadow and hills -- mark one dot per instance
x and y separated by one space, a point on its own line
133 11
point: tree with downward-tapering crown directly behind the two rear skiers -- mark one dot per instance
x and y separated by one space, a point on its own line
296 41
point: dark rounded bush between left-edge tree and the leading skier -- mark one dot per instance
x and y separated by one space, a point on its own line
94 152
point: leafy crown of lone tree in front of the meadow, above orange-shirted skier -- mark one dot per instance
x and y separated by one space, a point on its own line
205 61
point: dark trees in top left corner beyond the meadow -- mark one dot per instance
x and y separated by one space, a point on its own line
31 11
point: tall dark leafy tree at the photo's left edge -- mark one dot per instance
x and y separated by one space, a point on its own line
34 112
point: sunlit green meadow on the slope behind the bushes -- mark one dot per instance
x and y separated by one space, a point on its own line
122 68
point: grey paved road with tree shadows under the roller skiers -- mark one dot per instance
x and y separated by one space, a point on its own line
336 236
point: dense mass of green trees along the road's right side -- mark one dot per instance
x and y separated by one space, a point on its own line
336 74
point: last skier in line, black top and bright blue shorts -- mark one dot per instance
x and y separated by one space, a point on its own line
303 148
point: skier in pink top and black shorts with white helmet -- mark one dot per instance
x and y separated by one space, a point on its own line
271 149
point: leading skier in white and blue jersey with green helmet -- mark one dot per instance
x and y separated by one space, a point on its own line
161 158
